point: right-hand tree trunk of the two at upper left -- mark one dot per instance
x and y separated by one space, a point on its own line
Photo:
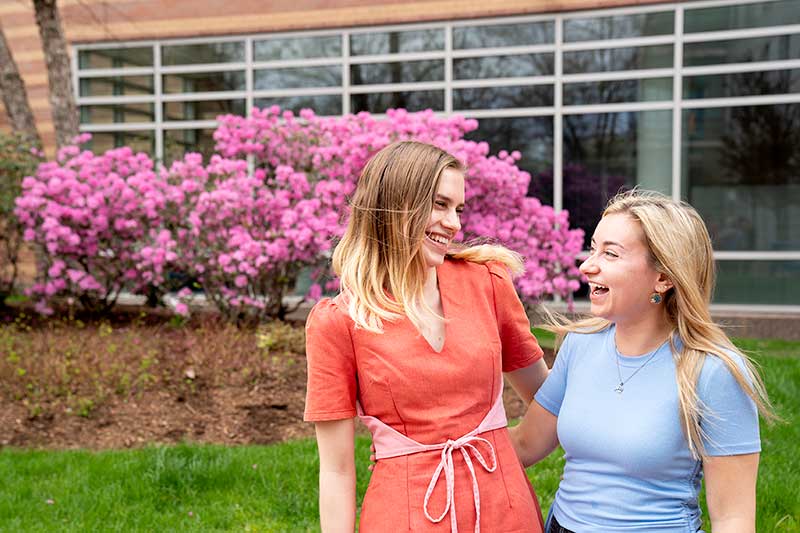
59 73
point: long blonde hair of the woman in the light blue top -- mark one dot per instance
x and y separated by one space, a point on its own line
680 248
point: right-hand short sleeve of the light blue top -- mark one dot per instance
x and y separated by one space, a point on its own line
730 418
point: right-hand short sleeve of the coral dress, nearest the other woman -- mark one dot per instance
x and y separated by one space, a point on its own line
520 348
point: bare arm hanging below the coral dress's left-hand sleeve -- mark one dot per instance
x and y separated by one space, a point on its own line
337 475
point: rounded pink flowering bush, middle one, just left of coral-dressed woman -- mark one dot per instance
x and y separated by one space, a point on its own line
252 234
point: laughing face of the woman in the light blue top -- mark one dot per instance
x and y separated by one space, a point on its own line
621 276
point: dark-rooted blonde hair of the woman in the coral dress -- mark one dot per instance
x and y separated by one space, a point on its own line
379 260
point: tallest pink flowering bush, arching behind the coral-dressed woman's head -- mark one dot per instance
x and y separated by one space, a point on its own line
331 152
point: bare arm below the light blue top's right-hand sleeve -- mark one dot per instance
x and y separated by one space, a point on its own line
731 492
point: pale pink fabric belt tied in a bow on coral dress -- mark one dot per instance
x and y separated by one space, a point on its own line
391 443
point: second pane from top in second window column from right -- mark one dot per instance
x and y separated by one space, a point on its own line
613 59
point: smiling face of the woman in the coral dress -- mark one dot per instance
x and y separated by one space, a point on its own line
445 220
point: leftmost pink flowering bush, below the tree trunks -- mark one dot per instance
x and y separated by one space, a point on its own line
89 215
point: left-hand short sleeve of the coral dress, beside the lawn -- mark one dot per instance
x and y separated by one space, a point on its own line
332 385
